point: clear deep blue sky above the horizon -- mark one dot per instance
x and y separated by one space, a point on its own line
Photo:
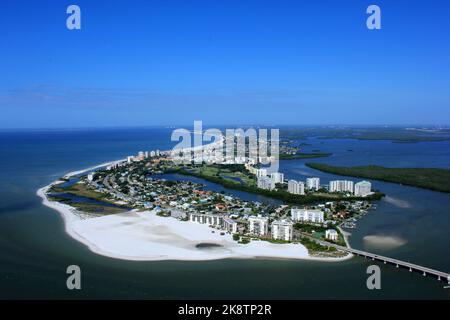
137 63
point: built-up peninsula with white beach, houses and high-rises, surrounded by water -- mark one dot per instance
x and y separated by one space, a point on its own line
134 209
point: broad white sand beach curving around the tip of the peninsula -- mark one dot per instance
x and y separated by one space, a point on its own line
144 236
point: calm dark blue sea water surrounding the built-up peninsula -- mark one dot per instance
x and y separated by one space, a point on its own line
35 250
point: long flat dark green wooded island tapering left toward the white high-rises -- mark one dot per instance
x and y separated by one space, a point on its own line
427 178
